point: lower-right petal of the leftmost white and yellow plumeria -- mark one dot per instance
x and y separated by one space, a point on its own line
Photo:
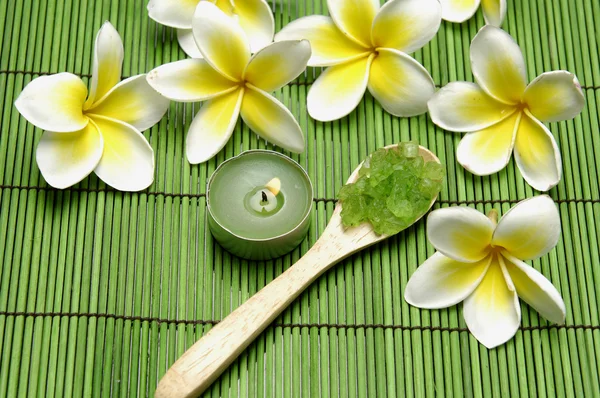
127 162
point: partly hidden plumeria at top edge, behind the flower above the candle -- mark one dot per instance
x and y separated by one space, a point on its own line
254 16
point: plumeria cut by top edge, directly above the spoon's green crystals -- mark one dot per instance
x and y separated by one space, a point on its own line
367 47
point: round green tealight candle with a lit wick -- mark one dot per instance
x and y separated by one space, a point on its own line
259 204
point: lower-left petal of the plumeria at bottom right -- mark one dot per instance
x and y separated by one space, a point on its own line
442 282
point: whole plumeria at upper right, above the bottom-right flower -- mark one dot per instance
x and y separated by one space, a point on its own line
502 112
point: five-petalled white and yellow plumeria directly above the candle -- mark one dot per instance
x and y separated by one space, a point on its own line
233 83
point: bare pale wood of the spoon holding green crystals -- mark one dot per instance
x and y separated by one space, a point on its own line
202 363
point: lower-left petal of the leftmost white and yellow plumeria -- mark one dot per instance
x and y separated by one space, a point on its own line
67 158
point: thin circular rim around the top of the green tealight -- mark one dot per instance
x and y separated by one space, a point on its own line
267 151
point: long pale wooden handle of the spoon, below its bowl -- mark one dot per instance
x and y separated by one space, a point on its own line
202 363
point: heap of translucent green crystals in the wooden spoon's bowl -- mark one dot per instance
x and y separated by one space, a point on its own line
395 186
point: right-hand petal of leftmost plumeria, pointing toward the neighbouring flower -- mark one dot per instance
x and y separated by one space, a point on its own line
134 102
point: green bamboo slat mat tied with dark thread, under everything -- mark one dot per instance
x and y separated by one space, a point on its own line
100 291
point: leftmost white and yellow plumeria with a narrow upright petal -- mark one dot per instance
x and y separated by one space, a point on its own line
100 134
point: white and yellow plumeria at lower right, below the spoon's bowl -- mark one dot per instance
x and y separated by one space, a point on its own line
481 263
